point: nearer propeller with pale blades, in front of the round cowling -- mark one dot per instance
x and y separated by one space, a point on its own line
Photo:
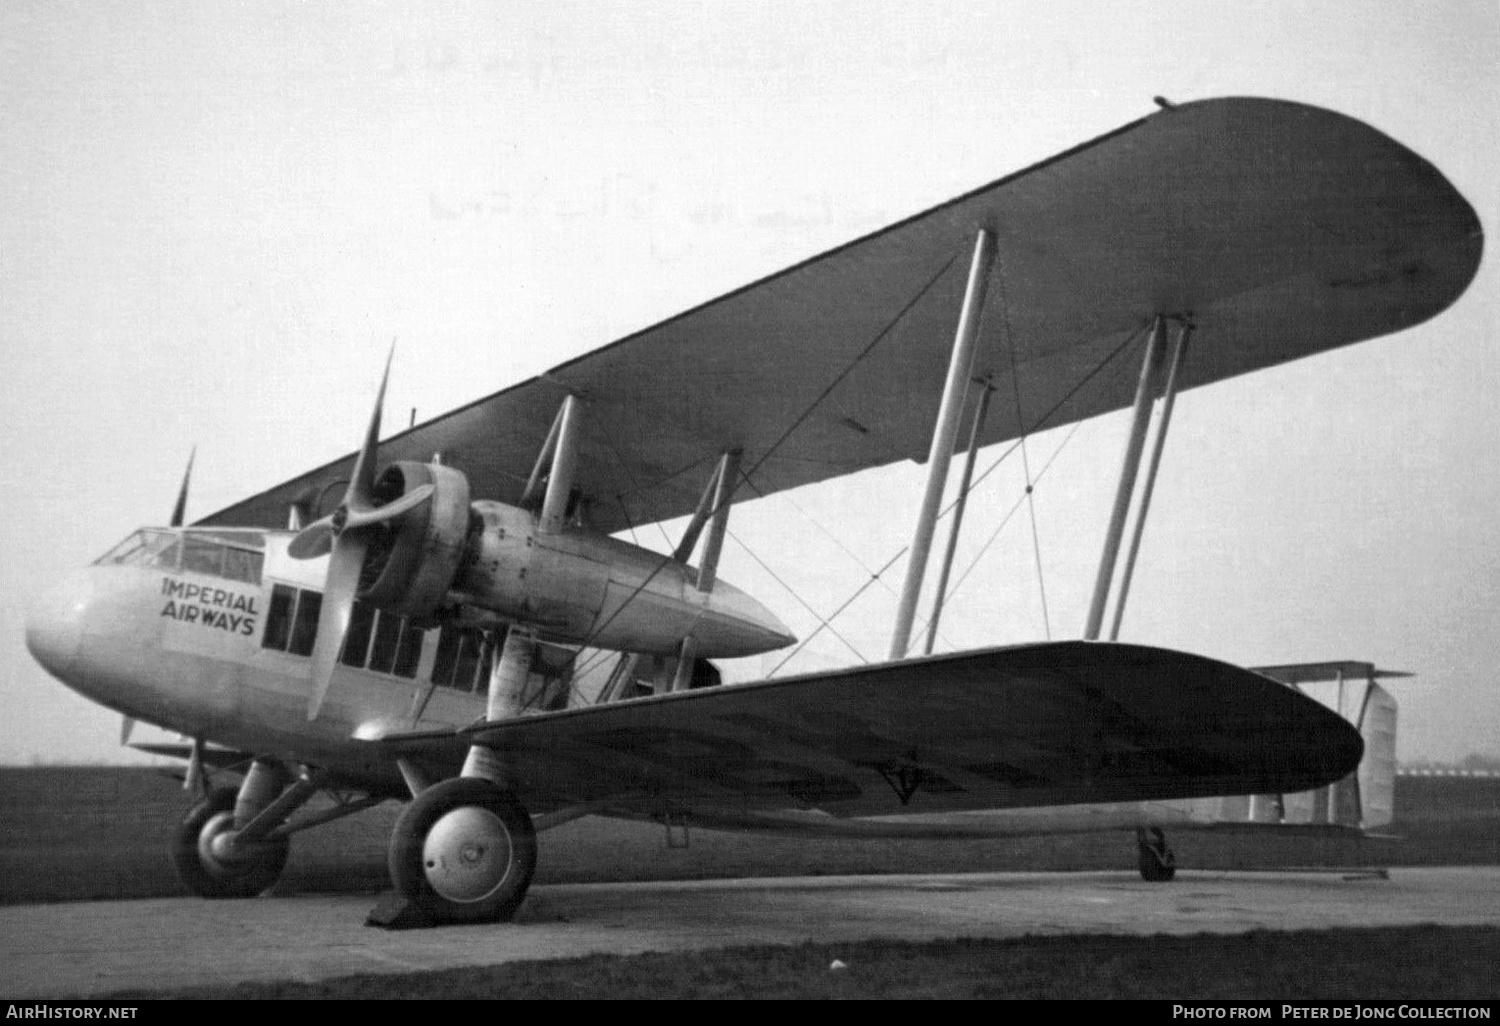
346 536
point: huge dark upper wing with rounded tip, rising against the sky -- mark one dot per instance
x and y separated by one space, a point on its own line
1283 230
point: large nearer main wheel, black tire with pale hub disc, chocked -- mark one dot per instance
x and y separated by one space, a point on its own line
464 853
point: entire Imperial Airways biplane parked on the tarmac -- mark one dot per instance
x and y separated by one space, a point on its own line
413 620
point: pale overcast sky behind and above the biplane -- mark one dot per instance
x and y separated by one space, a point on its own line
214 220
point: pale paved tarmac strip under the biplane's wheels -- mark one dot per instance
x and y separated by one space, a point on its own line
100 947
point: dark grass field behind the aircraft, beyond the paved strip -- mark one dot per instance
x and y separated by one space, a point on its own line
103 833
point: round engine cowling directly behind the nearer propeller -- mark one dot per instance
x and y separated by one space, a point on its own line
410 568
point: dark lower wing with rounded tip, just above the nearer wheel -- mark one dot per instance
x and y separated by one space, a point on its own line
1034 725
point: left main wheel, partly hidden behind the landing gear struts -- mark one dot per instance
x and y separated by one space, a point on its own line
209 869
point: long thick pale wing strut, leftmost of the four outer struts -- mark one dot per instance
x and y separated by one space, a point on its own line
946 431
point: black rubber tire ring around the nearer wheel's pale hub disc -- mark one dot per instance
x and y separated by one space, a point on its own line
407 839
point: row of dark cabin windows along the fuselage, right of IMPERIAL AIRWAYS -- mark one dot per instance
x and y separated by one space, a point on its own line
379 641
